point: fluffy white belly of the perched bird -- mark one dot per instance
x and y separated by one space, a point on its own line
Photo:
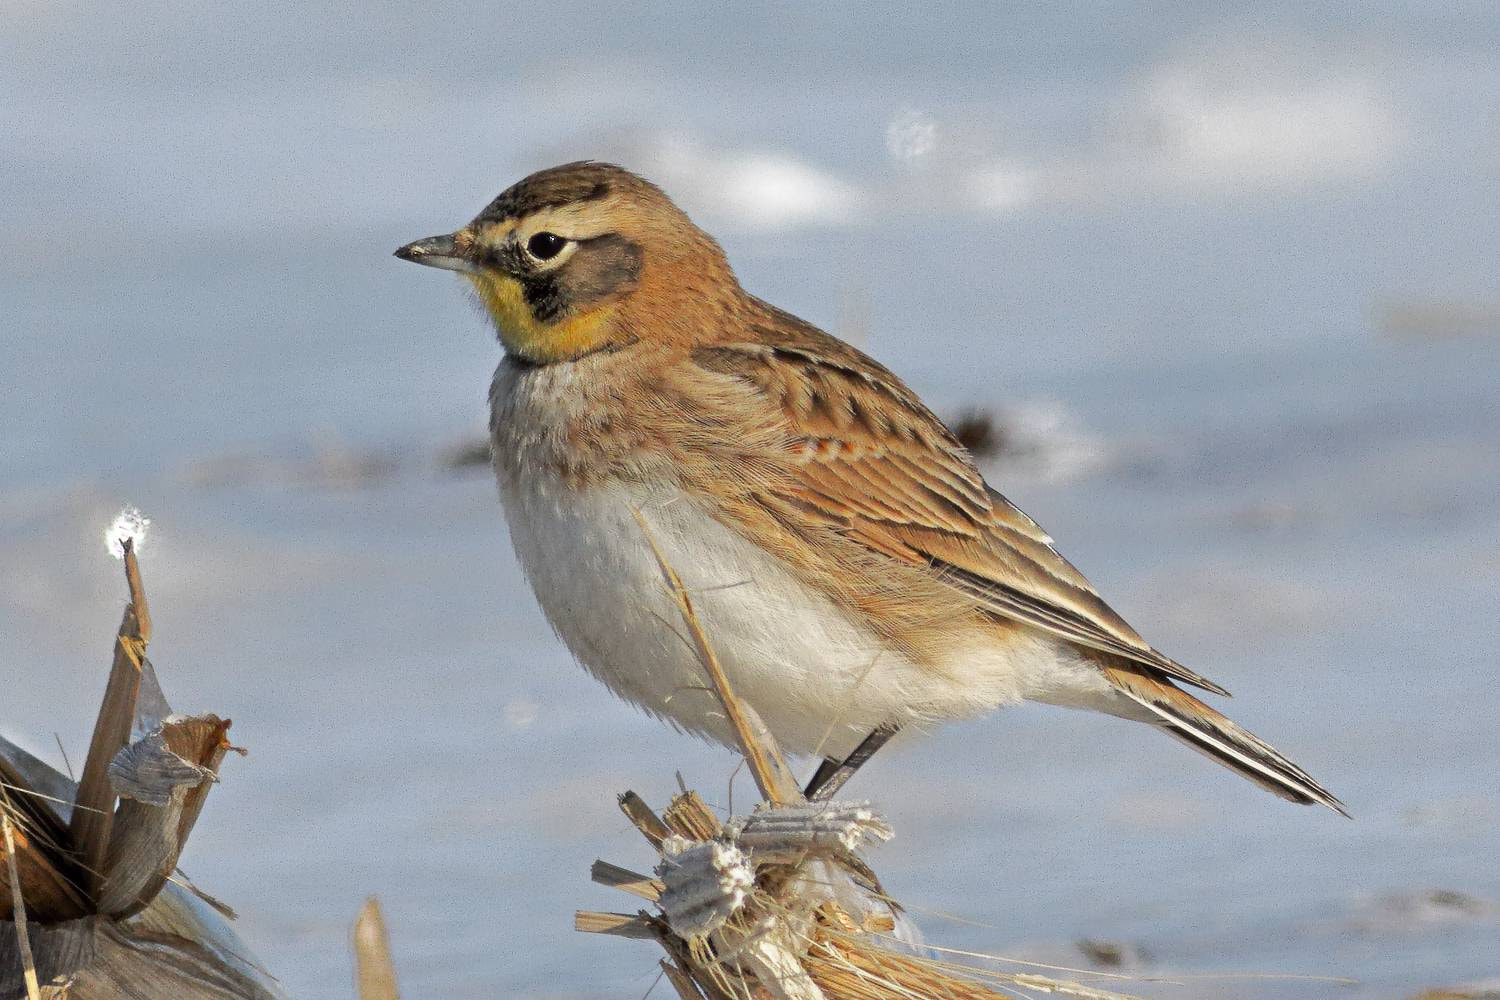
820 680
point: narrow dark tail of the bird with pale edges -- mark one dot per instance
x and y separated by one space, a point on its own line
1216 737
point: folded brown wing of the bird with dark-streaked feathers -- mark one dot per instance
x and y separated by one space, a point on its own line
869 458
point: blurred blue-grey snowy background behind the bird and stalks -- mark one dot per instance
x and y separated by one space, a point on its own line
1222 281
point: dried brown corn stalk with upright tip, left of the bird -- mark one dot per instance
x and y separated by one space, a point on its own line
103 914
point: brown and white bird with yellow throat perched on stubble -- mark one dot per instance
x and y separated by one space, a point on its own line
856 573
